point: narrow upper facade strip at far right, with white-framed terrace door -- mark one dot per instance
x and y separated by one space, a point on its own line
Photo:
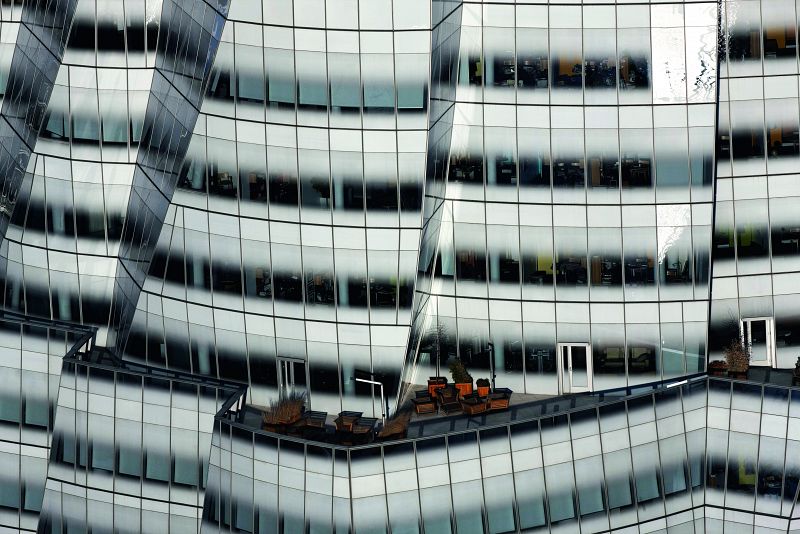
755 258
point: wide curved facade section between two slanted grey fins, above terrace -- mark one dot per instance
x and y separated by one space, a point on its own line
293 230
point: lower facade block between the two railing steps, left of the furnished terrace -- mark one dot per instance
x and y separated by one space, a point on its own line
129 449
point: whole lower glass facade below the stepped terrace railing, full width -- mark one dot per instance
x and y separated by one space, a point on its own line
138 449
